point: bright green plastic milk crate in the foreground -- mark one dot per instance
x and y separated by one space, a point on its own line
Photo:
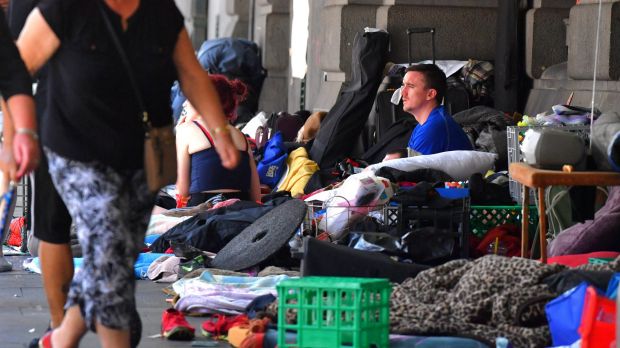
334 312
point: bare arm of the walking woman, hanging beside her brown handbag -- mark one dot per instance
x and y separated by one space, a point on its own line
197 86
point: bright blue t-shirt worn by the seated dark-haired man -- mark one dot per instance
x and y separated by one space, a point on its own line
438 134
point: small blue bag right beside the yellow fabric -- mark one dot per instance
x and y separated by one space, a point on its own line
273 165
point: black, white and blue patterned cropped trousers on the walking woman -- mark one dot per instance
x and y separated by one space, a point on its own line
111 210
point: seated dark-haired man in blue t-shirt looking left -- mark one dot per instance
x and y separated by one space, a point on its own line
424 87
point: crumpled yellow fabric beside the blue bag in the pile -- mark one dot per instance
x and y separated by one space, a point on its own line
300 170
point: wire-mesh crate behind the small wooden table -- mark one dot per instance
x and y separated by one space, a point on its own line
515 155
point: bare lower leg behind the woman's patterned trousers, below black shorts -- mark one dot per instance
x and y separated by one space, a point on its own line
57 272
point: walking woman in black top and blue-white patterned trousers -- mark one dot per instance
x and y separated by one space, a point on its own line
94 138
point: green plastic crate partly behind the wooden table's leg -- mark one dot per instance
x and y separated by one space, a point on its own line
483 218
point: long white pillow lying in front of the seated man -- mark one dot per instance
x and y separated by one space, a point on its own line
460 165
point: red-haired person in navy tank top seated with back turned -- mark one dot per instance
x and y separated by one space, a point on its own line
200 175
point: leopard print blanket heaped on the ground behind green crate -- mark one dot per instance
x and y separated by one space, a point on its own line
490 297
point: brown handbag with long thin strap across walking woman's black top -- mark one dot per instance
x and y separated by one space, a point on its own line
160 159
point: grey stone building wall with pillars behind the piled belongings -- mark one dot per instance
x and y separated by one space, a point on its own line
556 31
